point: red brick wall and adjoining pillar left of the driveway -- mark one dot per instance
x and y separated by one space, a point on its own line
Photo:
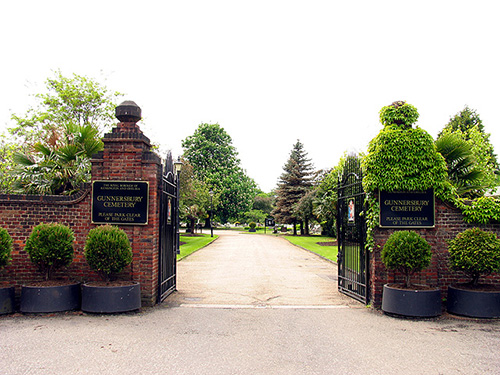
126 156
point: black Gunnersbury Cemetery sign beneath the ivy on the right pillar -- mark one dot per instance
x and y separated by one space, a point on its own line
409 209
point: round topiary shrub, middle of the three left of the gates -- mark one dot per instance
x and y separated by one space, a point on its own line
50 247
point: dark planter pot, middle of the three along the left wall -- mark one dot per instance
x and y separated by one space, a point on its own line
41 299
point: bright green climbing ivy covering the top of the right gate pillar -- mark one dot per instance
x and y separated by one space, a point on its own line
400 158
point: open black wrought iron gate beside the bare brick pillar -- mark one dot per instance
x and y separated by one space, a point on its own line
169 230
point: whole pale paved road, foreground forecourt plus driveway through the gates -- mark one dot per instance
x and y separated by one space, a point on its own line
249 327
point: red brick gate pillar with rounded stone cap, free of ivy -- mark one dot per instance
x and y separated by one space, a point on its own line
127 156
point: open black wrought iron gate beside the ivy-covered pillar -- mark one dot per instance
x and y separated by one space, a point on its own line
351 233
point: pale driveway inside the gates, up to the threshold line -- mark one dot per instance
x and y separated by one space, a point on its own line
248 269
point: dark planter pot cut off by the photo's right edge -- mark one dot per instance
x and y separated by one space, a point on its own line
473 303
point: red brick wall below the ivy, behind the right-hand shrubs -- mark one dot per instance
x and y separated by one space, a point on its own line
448 223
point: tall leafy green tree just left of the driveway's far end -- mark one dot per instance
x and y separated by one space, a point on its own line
215 162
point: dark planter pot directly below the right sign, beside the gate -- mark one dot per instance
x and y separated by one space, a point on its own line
412 303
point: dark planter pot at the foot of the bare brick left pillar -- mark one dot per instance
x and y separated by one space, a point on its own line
111 299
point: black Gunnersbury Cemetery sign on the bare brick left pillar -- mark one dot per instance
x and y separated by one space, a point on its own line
120 202
